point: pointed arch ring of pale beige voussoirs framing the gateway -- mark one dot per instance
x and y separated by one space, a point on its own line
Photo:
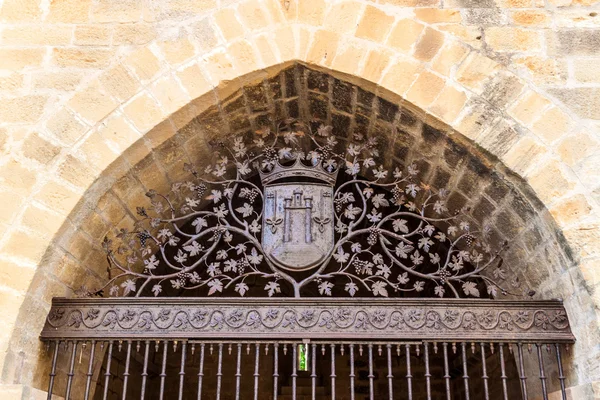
142 102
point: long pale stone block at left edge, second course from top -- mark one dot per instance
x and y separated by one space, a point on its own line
29 35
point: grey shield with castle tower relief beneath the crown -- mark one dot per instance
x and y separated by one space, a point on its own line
298 224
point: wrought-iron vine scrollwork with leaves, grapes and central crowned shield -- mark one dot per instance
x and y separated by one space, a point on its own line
300 212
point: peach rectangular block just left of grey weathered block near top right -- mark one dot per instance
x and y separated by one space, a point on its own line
509 39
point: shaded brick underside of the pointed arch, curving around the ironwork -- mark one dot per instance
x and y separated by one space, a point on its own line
538 254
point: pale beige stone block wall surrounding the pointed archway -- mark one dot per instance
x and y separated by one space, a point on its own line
89 88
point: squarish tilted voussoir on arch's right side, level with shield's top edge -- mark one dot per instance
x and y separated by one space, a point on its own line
549 181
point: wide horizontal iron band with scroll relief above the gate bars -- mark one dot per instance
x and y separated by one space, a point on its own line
453 320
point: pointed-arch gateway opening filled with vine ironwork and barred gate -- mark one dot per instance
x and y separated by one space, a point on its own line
311 238
